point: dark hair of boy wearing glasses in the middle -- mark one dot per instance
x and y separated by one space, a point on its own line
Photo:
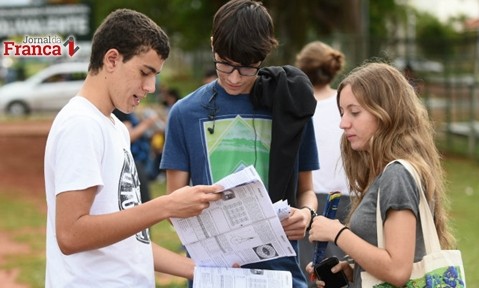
243 32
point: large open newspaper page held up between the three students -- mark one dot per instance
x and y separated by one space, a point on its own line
241 228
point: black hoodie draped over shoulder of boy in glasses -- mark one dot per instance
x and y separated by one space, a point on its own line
288 93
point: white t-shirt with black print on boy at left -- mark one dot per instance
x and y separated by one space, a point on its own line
85 149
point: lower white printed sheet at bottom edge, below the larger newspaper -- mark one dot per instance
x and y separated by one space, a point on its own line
221 277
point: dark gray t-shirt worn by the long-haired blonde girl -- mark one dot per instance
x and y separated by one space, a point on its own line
399 192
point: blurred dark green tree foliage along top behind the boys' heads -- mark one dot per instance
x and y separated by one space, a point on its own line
188 22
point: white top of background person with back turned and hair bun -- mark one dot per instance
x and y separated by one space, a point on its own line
330 176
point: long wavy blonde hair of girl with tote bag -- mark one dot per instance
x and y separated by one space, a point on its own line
404 132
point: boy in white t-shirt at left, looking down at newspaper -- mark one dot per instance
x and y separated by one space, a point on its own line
97 228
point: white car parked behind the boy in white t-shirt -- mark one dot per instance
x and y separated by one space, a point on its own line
48 90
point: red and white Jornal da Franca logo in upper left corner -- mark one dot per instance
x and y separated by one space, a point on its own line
35 46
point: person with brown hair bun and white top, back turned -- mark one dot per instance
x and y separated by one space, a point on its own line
321 63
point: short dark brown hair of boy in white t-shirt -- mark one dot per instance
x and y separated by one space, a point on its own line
131 33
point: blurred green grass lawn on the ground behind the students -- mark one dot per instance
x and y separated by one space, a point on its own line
21 220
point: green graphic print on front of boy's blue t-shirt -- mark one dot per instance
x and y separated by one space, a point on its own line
233 146
